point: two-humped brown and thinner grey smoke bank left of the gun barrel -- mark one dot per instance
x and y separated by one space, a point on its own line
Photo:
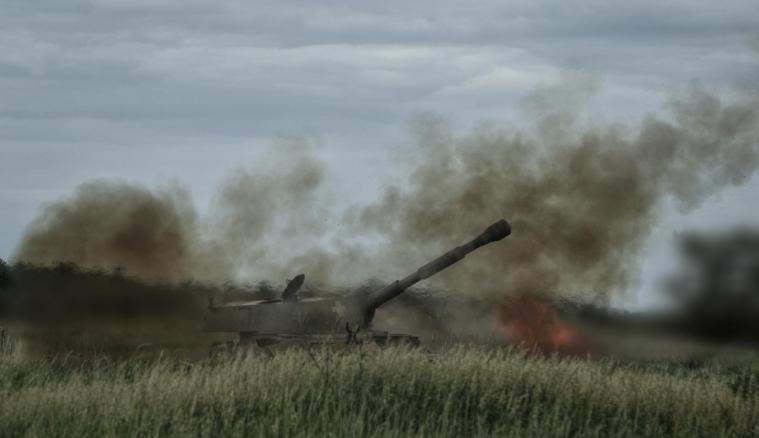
261 218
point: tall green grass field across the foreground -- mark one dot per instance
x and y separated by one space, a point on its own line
468 391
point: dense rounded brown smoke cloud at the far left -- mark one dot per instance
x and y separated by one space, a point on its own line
115 225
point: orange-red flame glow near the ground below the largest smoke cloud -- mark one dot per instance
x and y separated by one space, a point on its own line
534 322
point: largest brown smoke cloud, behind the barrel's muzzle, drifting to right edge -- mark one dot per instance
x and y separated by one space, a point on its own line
581 201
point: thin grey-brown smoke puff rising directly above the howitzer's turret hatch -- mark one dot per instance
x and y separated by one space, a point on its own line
264 218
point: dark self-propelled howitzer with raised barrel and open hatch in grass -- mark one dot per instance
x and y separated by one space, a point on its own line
325 320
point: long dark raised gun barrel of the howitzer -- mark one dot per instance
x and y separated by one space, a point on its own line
493 233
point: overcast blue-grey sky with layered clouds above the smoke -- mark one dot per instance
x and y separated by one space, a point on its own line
152 90
